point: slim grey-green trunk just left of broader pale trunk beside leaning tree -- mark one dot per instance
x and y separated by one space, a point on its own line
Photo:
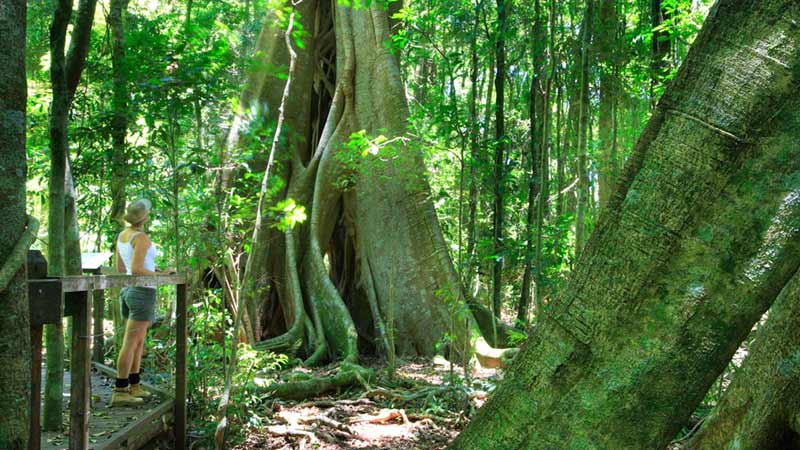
583 129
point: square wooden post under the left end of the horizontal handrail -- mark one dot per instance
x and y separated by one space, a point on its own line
80 385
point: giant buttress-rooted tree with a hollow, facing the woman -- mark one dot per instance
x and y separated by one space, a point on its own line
371 254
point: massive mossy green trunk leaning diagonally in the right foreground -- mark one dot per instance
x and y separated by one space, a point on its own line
694 246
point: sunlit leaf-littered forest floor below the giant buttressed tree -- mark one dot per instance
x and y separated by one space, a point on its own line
422 407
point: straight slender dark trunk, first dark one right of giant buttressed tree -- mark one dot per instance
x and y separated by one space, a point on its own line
498 211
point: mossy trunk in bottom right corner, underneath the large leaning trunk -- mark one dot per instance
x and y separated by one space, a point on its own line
759 409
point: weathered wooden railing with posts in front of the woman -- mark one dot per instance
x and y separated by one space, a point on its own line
46 306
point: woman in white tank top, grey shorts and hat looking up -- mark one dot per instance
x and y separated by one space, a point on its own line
136 255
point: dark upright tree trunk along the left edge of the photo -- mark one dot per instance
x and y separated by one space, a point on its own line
15 378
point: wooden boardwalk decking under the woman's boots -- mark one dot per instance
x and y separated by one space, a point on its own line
128 428
